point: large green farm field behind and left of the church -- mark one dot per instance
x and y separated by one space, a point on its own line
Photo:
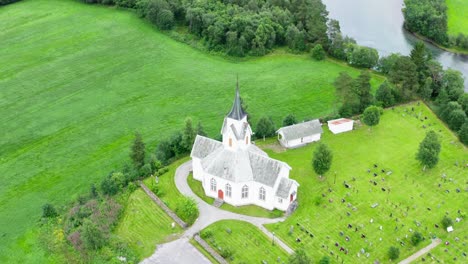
77 80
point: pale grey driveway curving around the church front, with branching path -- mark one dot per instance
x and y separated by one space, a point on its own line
171 252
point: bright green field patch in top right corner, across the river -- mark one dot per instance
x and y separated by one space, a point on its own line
457 12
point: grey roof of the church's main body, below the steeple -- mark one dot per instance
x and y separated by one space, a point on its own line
240 165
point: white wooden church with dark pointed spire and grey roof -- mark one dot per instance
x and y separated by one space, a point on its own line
238 172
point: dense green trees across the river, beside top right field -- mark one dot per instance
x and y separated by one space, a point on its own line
429 18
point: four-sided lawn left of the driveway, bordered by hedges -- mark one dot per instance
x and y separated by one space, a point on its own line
144 224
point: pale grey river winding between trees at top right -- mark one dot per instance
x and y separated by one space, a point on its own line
379 24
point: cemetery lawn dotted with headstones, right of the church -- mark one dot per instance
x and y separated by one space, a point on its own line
405 200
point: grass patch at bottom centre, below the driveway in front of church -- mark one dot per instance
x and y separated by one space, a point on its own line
246 242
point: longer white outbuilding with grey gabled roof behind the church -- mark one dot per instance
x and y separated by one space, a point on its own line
300 134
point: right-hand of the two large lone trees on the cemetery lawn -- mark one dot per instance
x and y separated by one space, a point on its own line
429 149
